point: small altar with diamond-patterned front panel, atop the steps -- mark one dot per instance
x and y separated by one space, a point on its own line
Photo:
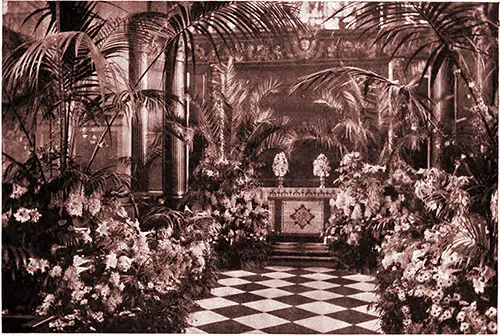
298 211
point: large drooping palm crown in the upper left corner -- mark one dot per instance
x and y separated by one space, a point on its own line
69 77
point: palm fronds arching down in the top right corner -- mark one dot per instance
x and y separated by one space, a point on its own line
446 35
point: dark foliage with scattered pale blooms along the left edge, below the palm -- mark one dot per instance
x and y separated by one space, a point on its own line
35 222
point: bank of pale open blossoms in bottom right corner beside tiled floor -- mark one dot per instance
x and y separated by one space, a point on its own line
428 288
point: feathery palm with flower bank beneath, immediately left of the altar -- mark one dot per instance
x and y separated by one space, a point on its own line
237 130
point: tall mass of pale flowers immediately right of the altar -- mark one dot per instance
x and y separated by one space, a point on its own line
358 203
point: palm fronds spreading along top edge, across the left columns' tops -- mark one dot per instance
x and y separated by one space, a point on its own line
224 20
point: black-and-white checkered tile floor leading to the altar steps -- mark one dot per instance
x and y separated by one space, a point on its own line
287 300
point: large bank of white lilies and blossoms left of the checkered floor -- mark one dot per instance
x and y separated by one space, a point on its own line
121 273
